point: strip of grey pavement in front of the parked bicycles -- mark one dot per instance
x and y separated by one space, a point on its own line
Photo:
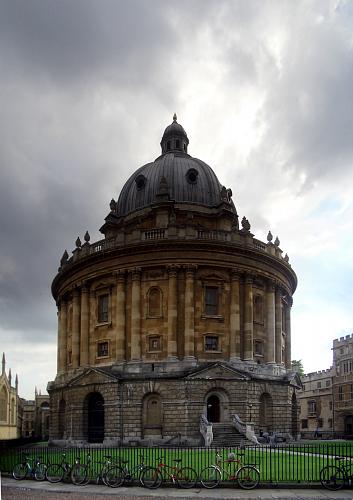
29 489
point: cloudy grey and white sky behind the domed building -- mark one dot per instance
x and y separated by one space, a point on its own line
264 90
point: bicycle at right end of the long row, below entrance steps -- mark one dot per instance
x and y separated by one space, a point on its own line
247 476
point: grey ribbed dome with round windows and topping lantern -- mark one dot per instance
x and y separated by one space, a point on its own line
176 175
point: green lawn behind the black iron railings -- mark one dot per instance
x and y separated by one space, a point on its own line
293 463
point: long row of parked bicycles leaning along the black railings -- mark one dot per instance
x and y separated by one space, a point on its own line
115 473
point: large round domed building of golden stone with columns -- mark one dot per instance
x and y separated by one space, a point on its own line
176 325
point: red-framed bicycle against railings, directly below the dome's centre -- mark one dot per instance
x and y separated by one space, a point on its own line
185 477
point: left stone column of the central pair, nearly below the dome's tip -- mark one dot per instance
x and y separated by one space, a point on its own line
172 312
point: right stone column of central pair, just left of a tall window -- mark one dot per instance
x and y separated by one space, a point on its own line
189 345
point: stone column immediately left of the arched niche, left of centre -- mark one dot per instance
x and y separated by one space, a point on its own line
136 315
